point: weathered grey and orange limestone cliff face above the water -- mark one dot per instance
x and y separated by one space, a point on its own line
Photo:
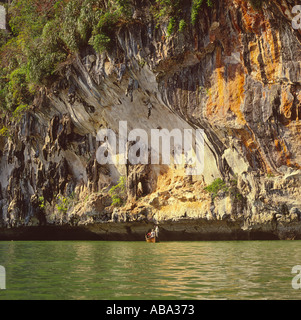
236 75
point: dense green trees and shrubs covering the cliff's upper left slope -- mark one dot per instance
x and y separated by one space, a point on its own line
43 35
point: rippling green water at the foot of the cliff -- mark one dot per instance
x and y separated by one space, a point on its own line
140 270
